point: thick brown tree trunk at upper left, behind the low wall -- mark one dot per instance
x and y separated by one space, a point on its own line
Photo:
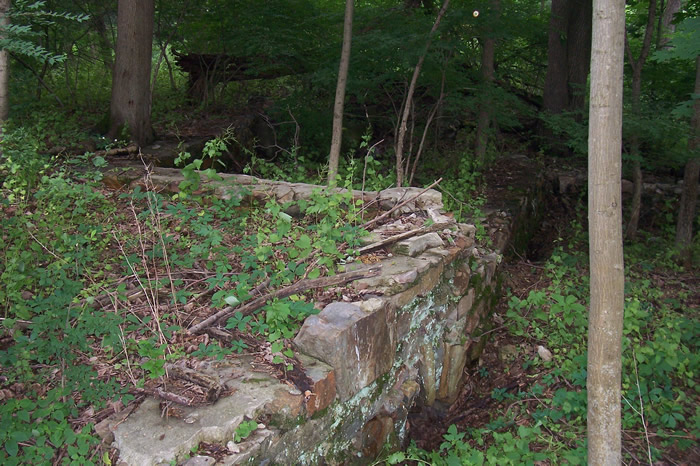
131 97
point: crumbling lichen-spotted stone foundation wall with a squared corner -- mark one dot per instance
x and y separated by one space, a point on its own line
407 343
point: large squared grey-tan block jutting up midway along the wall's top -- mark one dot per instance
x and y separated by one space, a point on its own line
358 345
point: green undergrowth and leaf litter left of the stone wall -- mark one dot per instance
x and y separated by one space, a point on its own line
98 289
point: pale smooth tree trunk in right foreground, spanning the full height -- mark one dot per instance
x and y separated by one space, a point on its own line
605 233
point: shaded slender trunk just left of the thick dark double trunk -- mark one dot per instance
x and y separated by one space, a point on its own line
487 75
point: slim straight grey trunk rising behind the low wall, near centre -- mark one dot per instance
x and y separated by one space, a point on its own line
337 134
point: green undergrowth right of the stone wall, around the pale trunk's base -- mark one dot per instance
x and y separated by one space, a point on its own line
545 421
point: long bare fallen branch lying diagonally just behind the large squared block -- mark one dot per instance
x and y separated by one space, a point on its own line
298 287
